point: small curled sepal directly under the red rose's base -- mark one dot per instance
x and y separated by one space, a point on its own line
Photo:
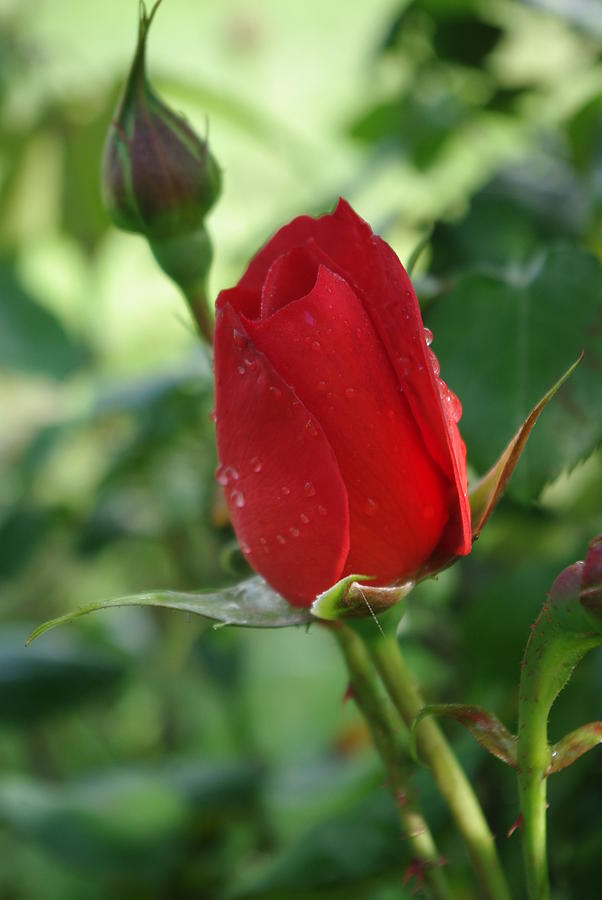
350 598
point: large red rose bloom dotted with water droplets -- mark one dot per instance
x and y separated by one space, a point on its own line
338 442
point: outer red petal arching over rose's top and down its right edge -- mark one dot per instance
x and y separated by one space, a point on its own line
384 287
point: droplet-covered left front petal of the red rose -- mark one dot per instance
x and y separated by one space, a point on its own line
283 486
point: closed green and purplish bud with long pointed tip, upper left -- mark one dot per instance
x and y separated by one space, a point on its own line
159 178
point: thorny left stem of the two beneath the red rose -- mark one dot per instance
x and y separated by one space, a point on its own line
382 725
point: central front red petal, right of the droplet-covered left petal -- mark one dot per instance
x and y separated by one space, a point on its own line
324 345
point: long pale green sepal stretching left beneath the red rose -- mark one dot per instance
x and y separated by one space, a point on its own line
251 604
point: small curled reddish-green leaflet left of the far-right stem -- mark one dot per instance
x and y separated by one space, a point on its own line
485 728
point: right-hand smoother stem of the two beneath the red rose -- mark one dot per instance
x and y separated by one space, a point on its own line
438 755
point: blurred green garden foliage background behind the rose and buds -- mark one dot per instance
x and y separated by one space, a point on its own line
144 755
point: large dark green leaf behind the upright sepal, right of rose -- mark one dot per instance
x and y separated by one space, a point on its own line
502 340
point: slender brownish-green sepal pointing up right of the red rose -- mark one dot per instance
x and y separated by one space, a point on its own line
485 494
